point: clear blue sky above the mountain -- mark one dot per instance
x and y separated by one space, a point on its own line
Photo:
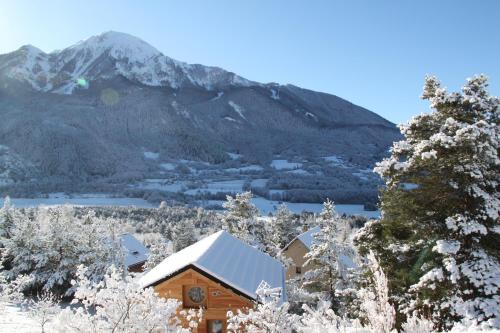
373 53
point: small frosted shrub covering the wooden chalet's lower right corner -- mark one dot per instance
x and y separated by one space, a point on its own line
270 315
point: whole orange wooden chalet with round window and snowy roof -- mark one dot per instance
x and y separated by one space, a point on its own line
218 273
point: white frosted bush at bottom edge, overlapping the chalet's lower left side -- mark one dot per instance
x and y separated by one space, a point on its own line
120 304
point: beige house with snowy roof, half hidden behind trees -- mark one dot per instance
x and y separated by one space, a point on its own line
296 250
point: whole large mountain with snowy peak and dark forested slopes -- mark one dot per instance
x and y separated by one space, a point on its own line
114 109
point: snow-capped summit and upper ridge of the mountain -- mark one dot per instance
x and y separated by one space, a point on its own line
105 56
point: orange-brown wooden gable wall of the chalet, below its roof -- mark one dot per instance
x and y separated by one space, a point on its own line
220 300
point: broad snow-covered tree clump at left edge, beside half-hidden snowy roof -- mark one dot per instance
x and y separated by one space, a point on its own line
49 246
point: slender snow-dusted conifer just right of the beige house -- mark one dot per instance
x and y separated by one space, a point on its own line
325 276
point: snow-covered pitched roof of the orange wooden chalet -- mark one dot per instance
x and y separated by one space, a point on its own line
228 260
